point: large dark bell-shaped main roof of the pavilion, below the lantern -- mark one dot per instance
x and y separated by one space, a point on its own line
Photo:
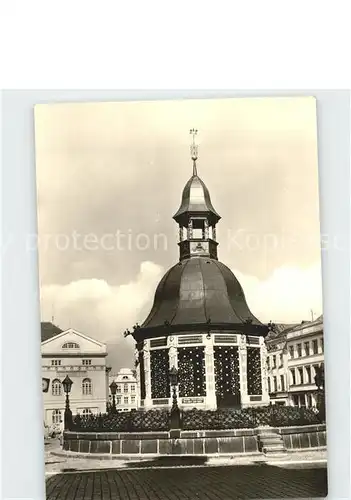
195 293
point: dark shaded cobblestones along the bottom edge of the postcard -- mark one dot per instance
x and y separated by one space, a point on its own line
189 483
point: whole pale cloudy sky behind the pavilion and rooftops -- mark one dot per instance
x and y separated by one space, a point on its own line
110 177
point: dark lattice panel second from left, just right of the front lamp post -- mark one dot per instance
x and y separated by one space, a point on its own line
191 370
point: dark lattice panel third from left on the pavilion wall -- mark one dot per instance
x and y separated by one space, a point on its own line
226 362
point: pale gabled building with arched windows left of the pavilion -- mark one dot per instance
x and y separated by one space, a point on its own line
83 359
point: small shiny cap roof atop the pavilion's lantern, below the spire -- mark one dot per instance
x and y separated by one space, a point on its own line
196 199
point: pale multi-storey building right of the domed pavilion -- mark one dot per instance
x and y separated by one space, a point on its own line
294 352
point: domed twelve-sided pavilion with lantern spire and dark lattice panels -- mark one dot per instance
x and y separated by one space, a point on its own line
200 322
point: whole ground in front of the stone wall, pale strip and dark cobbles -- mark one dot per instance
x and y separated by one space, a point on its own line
293 475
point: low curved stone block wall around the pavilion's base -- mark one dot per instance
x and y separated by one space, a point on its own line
197 443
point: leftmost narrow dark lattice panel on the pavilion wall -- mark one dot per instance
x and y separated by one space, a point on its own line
159 366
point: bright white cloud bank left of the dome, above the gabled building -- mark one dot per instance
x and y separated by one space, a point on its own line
101 310
